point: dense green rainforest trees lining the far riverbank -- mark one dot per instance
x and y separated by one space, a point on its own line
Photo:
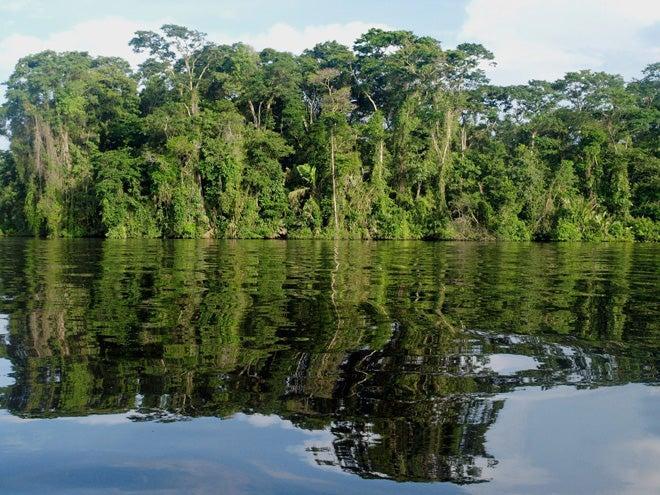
395 138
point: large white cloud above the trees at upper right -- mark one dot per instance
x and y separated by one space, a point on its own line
541 39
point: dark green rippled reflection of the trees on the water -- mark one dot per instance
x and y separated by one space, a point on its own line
399 350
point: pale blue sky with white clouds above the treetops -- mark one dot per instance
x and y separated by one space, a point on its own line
531 38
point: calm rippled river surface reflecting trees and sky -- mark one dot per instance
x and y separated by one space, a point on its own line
273 367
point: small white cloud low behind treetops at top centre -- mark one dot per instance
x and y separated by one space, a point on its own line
284 37
